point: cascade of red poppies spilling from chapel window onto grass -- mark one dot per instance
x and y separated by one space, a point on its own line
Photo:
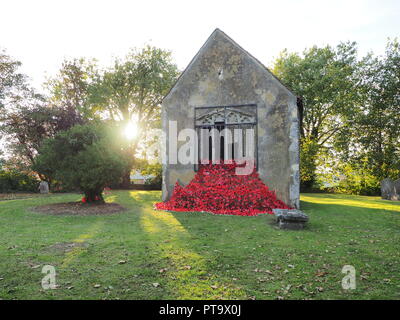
218 189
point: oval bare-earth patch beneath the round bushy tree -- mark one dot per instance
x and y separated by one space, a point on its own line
79 209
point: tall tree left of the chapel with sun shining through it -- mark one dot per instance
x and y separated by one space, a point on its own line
132 91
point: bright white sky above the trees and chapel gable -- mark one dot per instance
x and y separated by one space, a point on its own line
42 33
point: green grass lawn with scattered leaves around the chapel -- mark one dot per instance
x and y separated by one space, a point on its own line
147 254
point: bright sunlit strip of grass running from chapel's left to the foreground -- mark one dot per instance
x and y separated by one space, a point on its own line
188 273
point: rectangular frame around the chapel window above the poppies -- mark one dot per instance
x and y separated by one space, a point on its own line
254 123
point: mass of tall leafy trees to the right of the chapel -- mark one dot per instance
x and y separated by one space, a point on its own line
351 112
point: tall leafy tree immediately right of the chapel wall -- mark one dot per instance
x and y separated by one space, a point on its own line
327 80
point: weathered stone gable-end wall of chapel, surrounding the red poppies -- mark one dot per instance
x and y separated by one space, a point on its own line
224 87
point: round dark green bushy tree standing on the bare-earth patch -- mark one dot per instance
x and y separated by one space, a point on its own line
85 157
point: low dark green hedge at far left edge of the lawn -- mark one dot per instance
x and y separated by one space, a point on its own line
15 181
